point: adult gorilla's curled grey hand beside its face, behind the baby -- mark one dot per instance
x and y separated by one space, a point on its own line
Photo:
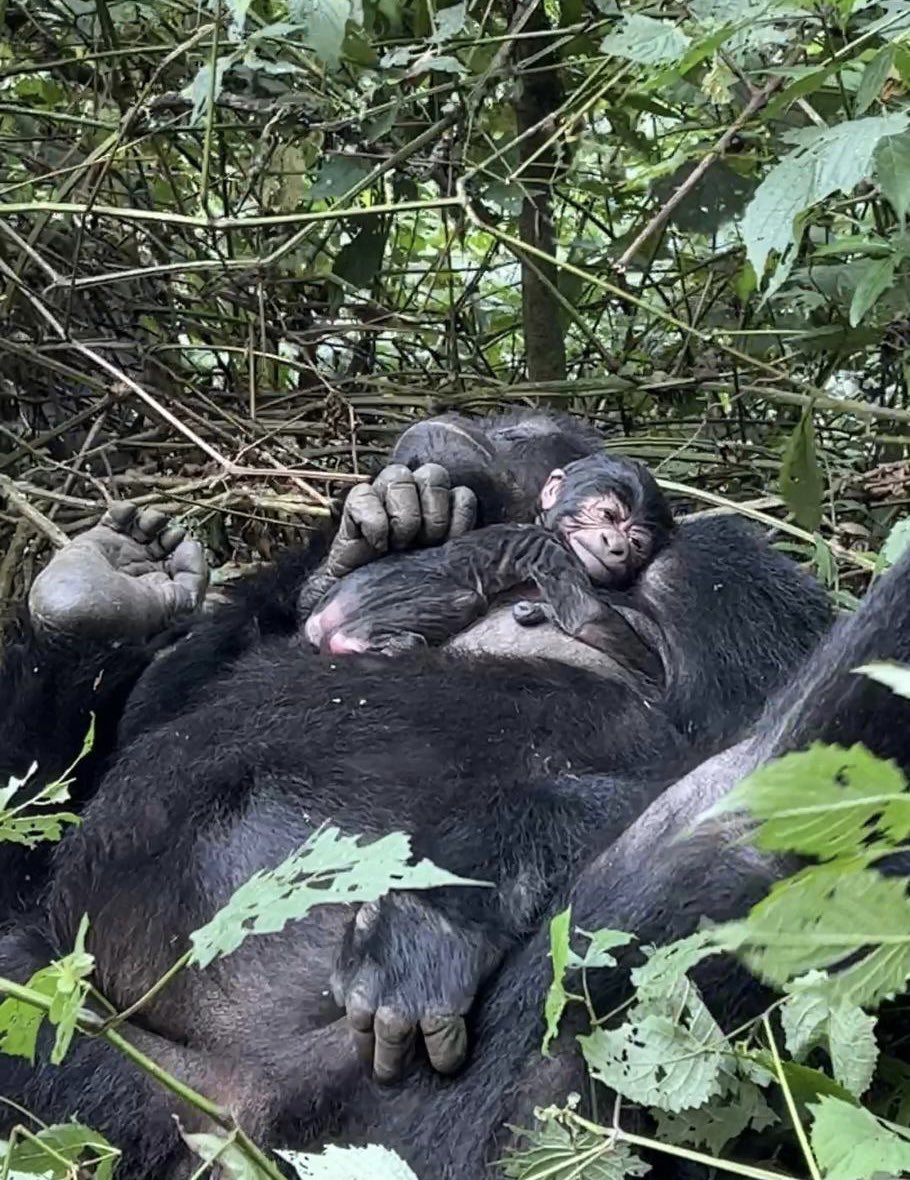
400 509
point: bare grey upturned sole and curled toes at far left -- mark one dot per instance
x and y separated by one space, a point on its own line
127 579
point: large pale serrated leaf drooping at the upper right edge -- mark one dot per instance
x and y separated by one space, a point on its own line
832 161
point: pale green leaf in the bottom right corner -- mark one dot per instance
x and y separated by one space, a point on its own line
850 1144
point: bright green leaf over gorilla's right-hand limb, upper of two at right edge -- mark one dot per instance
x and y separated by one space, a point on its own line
824 802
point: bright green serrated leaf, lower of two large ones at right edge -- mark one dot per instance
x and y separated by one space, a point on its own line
822 917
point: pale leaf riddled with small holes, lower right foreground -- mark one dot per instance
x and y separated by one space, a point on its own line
658 1063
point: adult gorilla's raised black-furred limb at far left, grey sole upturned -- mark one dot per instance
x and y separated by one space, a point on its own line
96 617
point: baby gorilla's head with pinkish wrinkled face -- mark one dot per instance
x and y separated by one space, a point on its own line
611 514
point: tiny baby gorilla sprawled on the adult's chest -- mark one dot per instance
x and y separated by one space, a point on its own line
599 523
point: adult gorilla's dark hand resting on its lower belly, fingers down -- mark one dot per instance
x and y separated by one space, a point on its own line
404 967
